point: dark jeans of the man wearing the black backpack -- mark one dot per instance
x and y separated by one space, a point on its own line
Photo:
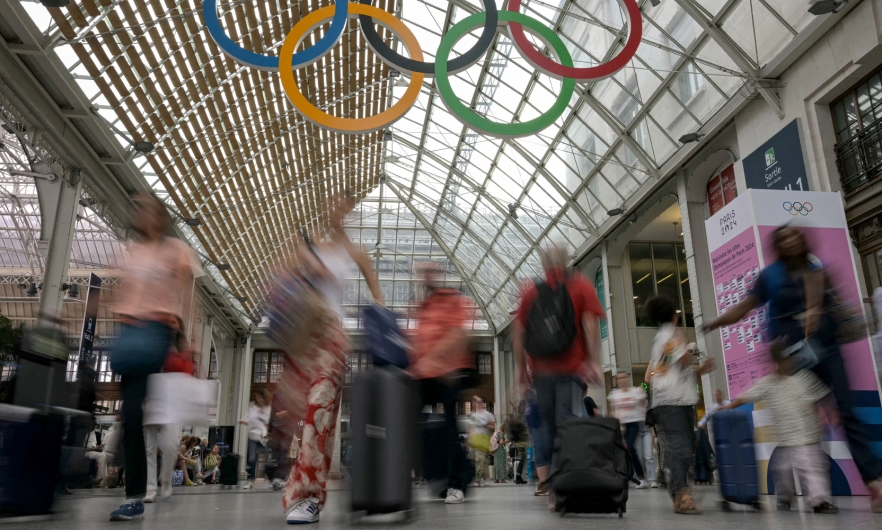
557 397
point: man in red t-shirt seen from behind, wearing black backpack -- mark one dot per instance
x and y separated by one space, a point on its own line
560 381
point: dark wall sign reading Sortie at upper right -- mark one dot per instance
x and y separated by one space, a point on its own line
778 164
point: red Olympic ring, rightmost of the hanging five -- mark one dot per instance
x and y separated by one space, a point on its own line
559 71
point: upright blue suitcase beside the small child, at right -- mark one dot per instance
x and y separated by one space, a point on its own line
736 459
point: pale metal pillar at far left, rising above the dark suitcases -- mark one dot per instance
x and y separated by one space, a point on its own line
59 203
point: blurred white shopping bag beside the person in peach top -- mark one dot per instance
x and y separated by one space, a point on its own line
179 399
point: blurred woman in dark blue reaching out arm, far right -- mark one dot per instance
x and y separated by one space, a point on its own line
792 319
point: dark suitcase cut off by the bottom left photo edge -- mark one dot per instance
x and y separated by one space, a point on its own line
30 454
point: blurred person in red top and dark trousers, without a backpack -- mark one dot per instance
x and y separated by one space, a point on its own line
444 366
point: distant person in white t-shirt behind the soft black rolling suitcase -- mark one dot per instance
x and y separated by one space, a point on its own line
629 407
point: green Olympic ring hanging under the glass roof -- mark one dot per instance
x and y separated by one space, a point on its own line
467 116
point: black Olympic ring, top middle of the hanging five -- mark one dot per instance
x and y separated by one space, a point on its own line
396 60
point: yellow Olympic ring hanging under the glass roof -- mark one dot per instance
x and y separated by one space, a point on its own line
349 125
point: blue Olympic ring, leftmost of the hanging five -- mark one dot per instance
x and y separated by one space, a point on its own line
269 62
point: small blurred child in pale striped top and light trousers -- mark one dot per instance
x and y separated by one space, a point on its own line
793 395
